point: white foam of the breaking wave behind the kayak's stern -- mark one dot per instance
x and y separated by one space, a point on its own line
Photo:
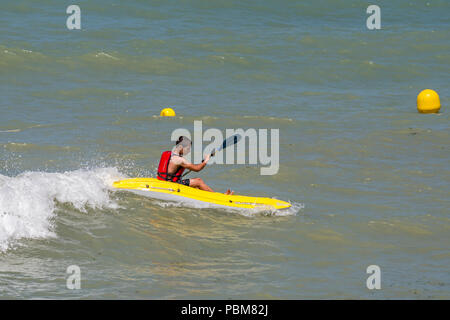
27 201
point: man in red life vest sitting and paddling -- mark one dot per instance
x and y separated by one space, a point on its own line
172 165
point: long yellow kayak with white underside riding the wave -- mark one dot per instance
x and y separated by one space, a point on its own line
171 191
